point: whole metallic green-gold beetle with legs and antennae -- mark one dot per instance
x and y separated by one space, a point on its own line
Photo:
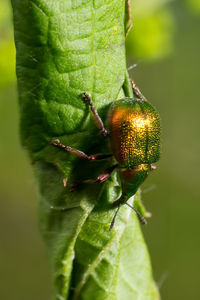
134 137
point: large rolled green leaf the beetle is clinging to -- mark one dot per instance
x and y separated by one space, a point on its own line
65 48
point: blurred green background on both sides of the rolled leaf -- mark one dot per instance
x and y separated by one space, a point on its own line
165 42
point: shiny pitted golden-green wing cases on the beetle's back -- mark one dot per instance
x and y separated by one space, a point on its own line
134 132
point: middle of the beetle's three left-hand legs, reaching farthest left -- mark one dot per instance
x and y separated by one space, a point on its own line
58 144
